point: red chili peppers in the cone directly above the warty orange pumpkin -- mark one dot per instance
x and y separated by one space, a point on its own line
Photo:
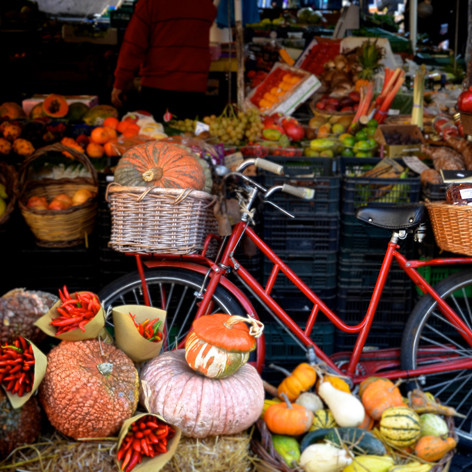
75 310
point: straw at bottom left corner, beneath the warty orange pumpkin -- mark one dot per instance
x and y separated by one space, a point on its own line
56 454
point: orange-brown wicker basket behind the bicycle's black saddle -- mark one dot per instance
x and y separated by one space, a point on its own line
452 226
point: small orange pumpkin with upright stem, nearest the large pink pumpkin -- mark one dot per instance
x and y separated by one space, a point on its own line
288 418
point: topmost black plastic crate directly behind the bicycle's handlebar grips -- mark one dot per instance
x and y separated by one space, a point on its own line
304 166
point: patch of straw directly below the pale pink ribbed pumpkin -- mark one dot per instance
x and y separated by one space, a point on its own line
212 454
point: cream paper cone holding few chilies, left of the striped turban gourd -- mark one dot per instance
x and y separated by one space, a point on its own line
127 335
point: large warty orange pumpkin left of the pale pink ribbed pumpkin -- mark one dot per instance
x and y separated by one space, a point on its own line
89 389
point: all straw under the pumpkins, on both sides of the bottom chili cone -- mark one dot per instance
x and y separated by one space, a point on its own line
57 454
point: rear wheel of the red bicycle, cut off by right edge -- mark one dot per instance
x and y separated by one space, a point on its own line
430 338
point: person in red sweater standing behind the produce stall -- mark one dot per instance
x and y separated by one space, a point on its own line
166 44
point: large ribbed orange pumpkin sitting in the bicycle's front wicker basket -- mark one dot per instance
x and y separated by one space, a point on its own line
160 164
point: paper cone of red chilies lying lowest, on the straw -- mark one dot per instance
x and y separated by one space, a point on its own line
148 464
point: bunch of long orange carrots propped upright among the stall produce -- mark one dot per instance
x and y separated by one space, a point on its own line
378 108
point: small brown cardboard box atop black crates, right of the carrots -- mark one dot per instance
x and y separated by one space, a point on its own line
399 150
